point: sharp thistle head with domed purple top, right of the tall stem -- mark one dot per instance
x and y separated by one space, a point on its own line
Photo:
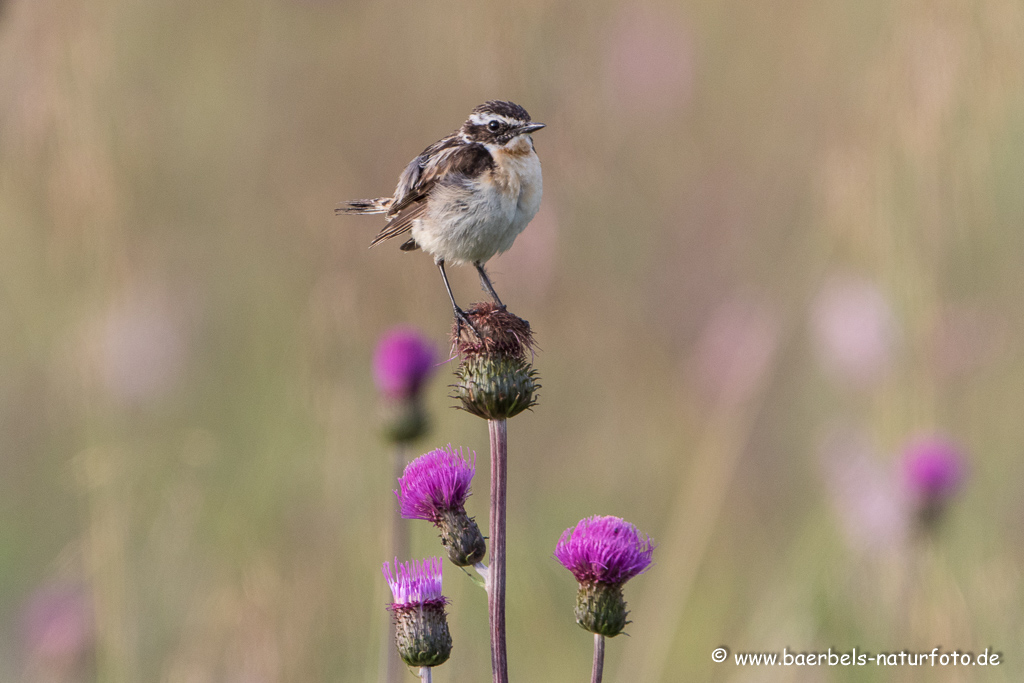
604 553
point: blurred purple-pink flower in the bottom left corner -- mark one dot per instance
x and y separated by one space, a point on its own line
58 626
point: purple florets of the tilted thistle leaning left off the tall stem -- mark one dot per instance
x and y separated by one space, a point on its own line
436 483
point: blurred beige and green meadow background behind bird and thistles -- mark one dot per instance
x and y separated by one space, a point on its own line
779 242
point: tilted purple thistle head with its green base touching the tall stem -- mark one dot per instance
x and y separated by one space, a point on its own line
435 487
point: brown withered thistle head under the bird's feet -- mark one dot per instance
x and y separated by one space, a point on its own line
496 378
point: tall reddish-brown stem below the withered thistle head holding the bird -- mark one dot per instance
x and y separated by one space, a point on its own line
496 584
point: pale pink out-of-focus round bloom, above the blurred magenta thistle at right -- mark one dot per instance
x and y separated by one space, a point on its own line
855 328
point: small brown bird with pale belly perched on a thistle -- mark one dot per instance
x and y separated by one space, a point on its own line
468 196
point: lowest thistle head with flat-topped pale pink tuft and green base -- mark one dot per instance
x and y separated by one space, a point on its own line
421 627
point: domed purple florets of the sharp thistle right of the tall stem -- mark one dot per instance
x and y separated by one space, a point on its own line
606 550
